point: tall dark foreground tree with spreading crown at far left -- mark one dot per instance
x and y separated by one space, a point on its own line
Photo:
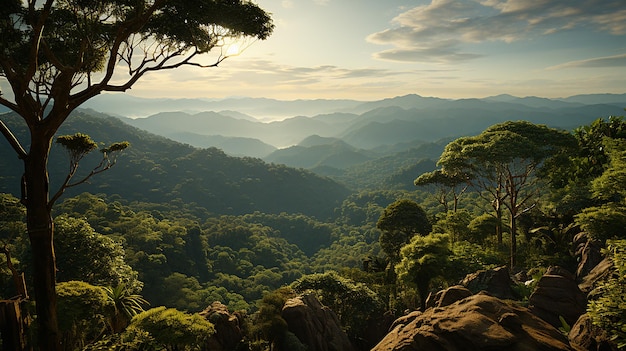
57 54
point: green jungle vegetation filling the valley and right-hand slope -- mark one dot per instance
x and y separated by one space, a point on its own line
120 257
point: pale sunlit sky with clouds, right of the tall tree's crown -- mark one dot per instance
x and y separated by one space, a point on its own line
375 49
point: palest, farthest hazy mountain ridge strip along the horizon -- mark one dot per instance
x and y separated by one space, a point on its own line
264 109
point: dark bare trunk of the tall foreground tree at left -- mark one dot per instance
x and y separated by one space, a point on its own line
40 232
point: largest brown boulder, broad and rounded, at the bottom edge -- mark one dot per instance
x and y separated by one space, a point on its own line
476 323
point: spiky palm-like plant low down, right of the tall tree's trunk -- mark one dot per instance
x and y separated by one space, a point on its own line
126 305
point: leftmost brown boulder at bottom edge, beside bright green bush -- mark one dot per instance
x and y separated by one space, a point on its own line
228 333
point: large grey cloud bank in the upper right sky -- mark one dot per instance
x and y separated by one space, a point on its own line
441 30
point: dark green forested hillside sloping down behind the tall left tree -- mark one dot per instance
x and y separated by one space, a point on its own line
156 169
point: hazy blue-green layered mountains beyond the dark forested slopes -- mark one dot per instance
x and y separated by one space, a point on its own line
346 132
